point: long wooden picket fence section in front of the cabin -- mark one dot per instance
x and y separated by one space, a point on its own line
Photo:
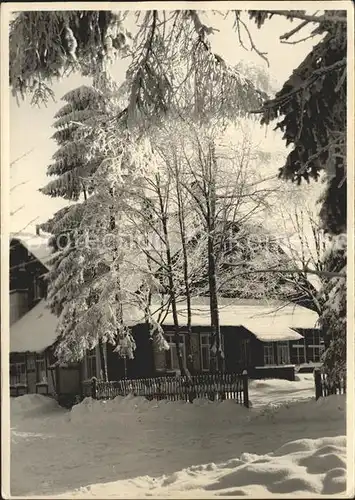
219 386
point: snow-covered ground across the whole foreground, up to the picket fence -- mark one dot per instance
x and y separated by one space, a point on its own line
133 448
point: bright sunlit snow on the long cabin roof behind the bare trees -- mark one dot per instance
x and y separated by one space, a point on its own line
268 321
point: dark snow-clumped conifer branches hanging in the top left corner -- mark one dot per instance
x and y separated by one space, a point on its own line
46 45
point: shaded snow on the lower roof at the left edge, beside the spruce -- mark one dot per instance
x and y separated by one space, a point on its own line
35 331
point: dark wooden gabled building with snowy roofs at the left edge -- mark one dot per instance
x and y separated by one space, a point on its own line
32 325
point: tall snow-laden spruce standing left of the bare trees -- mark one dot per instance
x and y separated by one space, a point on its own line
87 282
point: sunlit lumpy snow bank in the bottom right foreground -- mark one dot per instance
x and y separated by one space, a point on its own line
302 467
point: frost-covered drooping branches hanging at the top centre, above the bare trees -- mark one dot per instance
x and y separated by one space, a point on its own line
175 67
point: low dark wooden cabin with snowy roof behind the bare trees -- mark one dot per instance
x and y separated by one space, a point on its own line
268 338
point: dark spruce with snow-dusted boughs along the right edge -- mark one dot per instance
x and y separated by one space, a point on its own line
310 110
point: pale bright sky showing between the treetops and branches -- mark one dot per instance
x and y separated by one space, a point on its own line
31 128
